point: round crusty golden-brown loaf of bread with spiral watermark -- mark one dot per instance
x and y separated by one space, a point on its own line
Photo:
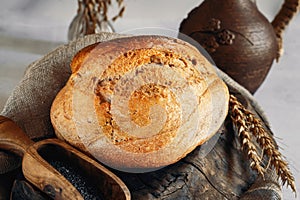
139 103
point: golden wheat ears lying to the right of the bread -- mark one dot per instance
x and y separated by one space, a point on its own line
245 121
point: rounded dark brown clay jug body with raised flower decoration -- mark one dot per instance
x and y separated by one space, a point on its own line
240 40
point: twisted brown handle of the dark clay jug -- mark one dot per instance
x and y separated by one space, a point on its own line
286 13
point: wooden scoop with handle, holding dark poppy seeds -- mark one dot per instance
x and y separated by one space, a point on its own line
37 169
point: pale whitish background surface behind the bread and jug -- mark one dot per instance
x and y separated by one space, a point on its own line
31 28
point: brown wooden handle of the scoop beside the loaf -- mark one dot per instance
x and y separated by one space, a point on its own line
12 138
